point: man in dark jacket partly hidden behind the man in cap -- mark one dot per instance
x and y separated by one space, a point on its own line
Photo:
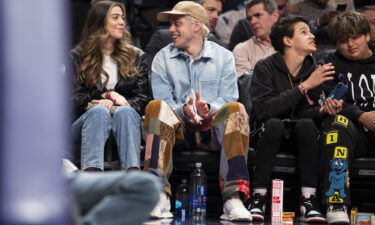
162 37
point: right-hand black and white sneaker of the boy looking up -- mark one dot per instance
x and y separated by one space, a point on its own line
310 211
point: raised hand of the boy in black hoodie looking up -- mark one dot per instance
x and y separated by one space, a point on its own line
320 75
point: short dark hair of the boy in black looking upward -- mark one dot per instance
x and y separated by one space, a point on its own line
284 28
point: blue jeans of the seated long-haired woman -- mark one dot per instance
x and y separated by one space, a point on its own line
94 127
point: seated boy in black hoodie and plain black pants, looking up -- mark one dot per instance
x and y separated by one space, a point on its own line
282 102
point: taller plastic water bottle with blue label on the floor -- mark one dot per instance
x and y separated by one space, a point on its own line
198 193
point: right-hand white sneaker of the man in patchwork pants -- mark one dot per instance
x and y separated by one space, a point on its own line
234 210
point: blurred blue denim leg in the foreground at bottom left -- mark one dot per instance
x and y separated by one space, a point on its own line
113 198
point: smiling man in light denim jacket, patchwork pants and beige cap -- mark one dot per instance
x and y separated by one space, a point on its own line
194 84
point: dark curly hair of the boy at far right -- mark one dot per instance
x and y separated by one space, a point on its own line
348 25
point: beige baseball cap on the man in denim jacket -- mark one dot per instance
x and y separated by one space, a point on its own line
190 8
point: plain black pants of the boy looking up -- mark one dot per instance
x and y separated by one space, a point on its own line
301 137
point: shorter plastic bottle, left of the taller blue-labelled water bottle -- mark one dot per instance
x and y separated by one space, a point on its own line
182 201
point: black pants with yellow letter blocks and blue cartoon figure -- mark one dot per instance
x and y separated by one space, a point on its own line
340 141
